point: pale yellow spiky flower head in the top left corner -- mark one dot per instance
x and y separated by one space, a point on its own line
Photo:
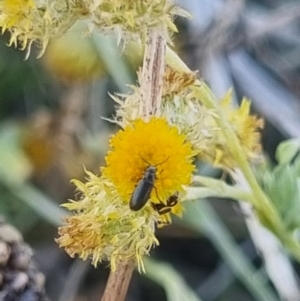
31 21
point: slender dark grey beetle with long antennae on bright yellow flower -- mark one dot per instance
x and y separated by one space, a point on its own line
144 187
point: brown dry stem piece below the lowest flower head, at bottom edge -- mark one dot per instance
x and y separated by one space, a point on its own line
118 282
